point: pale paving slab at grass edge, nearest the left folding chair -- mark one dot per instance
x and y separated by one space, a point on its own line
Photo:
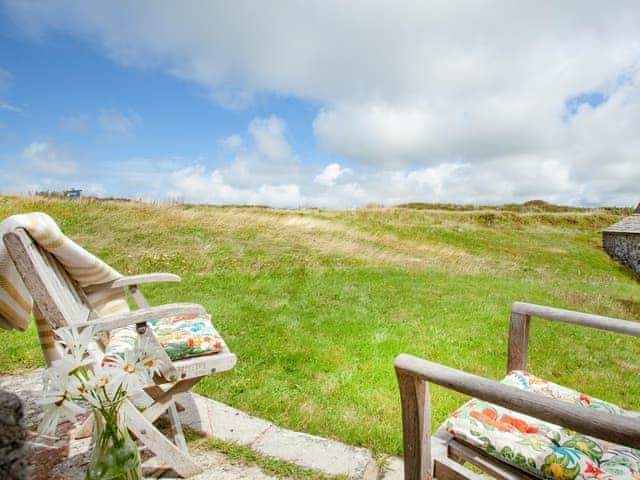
220 421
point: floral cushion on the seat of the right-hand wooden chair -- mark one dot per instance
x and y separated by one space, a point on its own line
539 448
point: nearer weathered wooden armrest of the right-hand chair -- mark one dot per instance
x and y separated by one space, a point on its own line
614 428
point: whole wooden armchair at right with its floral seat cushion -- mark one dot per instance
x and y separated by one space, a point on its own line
548 408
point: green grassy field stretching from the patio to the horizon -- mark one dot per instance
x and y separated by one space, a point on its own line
317 303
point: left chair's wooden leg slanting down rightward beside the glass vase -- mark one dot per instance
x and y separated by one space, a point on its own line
154 440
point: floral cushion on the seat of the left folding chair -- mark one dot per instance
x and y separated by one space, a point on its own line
181 336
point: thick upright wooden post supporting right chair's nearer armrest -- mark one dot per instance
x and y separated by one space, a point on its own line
416 427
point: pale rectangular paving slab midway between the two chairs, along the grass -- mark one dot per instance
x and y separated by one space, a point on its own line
308 451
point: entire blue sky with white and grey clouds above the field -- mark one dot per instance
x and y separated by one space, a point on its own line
325 103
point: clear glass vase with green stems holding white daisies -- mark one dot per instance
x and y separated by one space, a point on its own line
115 455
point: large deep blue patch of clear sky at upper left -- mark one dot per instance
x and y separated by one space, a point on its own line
63 90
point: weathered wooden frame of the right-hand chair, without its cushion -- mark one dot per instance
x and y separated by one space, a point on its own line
445 450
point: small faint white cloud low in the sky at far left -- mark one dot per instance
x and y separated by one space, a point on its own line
50 160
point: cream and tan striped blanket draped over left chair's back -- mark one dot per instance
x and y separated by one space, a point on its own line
16 303
